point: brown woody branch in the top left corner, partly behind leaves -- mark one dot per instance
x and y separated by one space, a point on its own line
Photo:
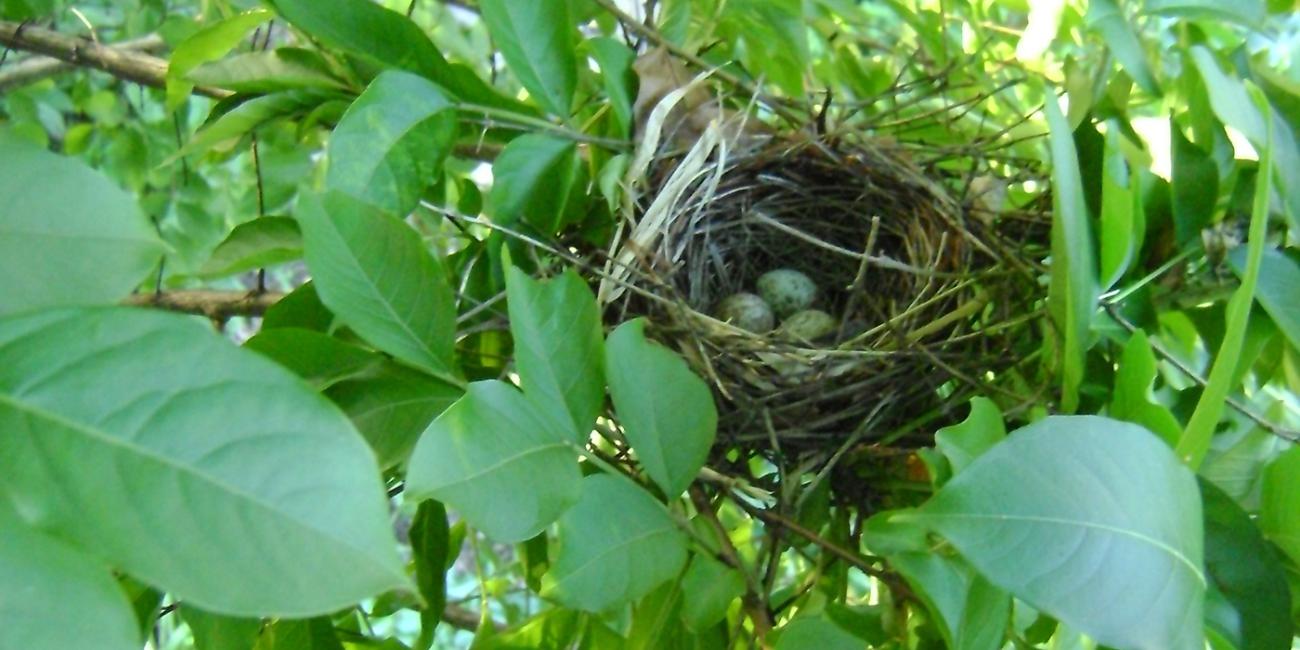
124 64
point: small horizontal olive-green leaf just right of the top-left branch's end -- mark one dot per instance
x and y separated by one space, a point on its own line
268 72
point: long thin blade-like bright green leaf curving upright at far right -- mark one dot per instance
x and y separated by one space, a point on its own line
1201 428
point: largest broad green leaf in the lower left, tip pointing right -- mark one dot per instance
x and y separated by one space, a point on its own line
124 428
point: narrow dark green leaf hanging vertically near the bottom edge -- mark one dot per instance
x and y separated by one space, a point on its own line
431 552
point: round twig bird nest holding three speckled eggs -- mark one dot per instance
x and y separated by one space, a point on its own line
928 296
